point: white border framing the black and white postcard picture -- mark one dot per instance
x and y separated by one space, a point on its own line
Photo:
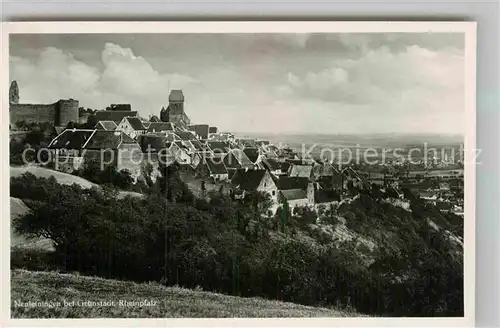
469 30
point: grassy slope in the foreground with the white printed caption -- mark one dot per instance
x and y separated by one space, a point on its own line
171 301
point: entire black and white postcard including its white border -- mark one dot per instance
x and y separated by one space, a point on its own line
238 173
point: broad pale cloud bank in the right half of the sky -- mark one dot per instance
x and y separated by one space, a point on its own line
382 75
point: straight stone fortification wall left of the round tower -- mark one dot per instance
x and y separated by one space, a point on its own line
32 113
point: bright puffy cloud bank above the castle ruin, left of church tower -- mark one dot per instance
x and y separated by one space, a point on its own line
125 78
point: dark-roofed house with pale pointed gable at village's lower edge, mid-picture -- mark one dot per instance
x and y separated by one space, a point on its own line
245 180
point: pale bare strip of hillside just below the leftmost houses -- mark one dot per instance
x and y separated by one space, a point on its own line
61 177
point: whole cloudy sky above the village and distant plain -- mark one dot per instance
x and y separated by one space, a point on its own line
354 83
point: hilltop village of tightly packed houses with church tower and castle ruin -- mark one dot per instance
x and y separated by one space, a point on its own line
215 160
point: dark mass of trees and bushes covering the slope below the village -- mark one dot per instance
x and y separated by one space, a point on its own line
235 248
